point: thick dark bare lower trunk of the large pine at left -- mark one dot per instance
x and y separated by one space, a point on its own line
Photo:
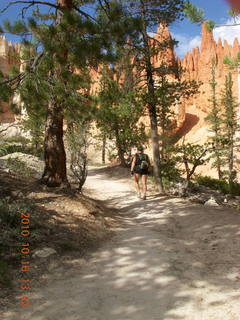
55 173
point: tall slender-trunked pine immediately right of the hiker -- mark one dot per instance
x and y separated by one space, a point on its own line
152 13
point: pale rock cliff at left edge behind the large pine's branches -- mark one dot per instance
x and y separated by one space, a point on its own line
8 58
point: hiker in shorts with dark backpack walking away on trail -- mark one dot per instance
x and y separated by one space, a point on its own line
140 169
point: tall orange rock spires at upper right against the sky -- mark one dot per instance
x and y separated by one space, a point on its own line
198 64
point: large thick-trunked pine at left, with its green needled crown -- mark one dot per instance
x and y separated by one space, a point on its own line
65 39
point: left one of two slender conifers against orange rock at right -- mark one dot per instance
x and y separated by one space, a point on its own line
215 120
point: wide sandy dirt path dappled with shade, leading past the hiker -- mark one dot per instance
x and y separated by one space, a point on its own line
169 260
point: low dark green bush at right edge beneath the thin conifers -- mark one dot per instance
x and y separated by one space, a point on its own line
217 184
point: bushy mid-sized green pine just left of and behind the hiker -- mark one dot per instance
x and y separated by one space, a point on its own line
119 106
